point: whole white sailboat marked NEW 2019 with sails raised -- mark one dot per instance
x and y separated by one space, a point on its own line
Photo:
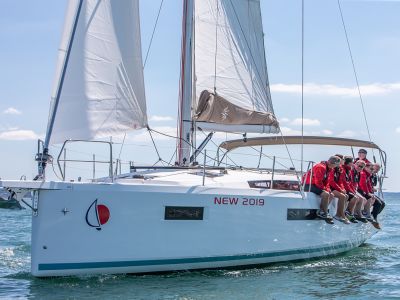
188 215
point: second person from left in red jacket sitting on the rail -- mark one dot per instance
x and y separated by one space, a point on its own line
338 190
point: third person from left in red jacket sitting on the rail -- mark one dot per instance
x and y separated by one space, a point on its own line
346 179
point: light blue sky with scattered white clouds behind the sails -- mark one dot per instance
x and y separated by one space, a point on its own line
30 33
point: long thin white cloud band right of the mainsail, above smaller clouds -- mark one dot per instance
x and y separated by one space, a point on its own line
334 90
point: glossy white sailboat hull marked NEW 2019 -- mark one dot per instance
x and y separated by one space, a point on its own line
137 238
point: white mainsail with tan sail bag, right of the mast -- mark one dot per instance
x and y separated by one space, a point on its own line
231 80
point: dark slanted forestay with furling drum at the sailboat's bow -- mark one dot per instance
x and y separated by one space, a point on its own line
42 158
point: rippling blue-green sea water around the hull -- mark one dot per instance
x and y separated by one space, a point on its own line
367 272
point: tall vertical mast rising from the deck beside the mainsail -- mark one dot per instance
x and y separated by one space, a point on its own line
185 125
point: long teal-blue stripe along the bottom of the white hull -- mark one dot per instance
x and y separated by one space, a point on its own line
339 247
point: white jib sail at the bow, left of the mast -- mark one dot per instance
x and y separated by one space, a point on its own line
102 93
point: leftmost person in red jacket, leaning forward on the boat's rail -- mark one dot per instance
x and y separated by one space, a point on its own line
316 181
